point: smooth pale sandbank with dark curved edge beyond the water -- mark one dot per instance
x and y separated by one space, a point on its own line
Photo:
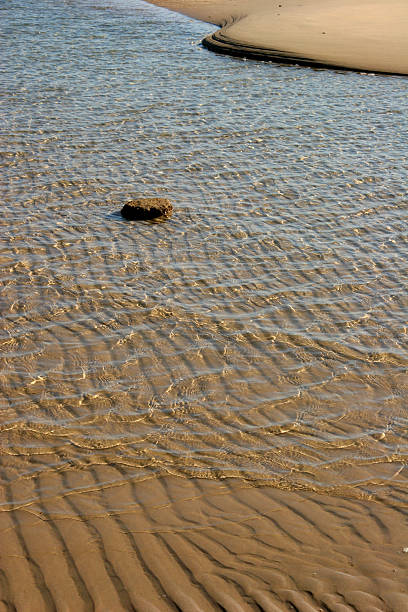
366 35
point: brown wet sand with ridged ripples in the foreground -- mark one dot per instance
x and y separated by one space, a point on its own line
200 545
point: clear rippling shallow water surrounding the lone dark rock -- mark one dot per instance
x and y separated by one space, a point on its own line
261 332
